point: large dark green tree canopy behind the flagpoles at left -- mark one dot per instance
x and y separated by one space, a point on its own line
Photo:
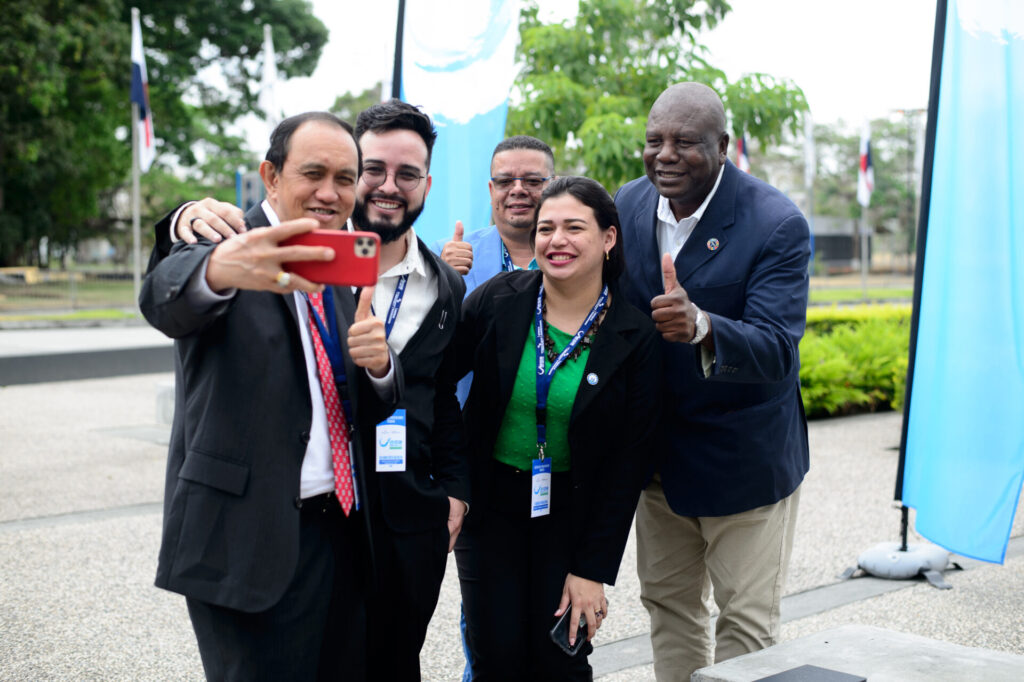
65 112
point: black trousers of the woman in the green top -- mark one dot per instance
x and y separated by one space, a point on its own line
513 570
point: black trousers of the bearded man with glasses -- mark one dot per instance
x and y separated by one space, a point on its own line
410 569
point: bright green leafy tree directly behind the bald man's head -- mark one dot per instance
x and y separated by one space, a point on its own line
586 88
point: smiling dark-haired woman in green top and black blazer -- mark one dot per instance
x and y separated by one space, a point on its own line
560 454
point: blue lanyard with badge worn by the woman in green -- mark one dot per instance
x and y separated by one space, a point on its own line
540 504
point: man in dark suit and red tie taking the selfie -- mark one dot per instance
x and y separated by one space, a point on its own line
267 506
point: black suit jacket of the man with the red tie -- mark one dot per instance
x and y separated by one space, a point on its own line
241 427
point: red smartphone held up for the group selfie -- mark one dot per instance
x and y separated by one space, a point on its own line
356 258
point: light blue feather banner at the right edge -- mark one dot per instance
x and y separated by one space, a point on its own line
965 446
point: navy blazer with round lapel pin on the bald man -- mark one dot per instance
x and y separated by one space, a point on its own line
737 440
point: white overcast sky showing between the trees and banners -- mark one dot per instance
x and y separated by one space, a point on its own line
854 60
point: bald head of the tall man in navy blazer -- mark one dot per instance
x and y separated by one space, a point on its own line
686 145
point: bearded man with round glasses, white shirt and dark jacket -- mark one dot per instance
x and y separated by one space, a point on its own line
418 505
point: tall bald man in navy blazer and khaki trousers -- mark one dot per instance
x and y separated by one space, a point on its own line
720 259
